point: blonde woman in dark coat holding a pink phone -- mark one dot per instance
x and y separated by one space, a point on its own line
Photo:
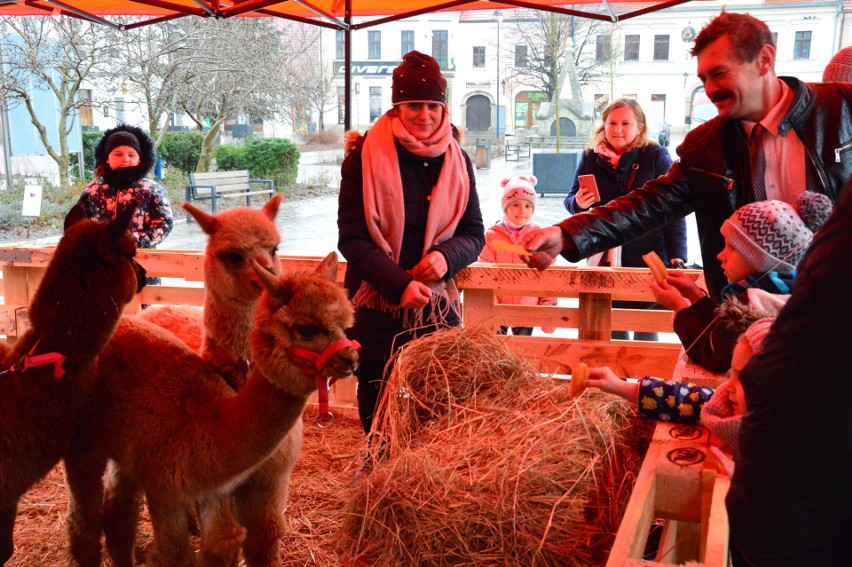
621 157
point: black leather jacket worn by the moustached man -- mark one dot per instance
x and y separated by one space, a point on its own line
713 179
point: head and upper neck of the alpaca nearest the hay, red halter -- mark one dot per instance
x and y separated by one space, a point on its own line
310 311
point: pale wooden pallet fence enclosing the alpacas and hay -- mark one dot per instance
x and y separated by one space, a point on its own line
696 522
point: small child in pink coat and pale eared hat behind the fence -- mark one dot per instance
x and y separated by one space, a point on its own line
518 204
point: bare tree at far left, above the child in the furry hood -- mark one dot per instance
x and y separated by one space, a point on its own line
57 54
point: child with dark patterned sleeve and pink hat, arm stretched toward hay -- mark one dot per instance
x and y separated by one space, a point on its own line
718 410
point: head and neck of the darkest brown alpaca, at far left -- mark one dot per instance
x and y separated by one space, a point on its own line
90 279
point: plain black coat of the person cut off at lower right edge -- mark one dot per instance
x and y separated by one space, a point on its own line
790 501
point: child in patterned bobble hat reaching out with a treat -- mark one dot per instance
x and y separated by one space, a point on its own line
764 242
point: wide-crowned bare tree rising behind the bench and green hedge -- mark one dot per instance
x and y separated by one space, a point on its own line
212 89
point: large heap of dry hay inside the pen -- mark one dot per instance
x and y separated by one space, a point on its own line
482 461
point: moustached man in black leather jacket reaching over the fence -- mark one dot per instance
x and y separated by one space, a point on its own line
812 124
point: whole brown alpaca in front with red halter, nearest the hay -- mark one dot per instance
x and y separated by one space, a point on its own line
170 424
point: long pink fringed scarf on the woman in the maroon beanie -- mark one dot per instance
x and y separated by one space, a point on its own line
384 208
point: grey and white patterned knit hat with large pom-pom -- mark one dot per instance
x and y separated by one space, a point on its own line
773 235
